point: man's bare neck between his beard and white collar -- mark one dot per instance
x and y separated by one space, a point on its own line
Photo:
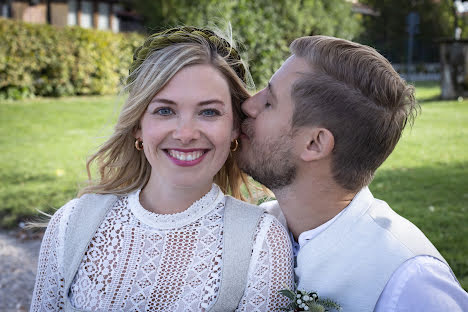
309 205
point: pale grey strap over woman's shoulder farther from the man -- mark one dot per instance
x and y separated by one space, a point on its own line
83 223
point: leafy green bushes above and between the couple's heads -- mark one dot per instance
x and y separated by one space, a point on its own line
265 28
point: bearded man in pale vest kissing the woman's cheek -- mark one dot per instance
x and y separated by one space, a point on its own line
329 117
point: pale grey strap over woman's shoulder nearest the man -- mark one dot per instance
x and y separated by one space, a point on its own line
240 222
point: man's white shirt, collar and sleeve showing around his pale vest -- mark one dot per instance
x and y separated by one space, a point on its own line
422 283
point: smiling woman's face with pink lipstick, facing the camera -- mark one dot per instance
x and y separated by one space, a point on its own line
188 127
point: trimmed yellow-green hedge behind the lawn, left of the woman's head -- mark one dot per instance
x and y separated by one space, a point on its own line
48 61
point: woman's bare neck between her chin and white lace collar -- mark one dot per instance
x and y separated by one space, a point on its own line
164 198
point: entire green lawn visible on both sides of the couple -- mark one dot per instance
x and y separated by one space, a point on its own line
44 144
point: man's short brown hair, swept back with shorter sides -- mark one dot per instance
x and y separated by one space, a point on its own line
355 93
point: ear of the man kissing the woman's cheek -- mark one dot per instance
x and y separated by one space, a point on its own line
319 144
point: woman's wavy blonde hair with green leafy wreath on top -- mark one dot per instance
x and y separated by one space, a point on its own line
122 168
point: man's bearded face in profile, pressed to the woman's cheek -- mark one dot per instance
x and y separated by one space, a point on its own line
267 138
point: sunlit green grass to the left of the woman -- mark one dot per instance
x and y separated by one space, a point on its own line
43 148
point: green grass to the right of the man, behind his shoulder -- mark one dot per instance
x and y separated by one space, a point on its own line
425 179
